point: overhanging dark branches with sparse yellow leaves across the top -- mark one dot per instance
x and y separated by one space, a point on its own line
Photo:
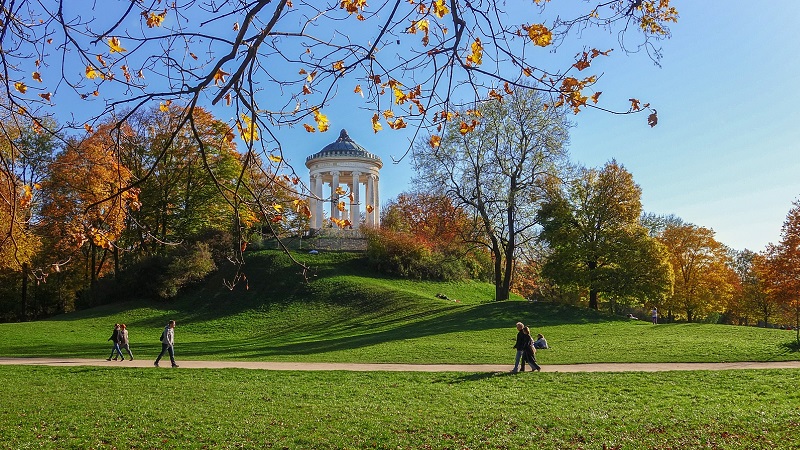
281 63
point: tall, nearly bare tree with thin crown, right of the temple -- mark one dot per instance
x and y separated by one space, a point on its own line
498 171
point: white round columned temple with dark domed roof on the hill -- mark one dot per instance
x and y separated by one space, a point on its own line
344 164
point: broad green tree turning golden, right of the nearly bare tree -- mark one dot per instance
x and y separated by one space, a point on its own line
597 241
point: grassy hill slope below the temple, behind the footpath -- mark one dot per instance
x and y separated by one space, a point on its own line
349 313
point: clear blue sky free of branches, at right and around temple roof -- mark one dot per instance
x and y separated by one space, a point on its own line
726 152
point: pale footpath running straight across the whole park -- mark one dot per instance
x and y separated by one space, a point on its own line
359 367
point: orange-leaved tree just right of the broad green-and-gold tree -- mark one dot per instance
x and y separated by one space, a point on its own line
703 277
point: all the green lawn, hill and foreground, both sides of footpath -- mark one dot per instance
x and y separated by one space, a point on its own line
347 313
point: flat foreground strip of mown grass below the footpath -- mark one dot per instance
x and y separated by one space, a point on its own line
91 407
